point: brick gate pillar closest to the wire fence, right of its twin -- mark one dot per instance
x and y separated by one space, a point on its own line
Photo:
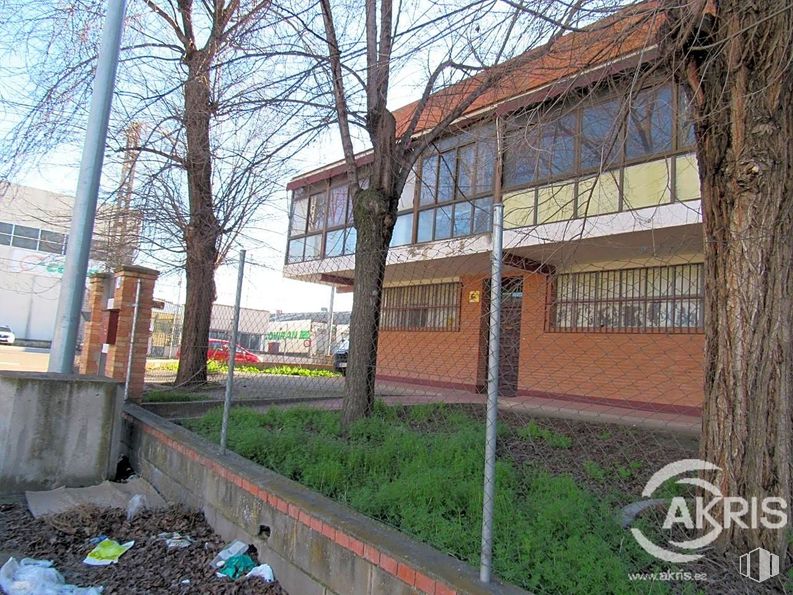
126 282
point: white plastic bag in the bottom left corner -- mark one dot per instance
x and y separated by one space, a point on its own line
37 577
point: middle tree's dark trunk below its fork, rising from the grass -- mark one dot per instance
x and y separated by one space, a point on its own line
374 214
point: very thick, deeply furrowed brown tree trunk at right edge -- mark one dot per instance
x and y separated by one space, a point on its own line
742 95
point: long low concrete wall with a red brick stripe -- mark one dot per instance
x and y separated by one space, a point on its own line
315 545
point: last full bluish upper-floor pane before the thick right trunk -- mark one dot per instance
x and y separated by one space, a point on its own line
650 126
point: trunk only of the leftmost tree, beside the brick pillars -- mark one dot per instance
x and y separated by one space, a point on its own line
203 232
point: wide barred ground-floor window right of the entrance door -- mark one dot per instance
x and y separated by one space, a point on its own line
654 299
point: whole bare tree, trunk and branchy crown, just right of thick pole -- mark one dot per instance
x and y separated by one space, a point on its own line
201 80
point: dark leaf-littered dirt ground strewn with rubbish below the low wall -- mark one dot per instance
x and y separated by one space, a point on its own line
149 567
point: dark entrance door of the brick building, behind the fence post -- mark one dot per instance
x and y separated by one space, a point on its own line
509 343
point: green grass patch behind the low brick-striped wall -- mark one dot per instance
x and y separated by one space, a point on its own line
419 469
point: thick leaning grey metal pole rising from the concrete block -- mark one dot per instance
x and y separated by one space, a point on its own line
70 302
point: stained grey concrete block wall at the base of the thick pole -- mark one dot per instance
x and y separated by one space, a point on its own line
57 429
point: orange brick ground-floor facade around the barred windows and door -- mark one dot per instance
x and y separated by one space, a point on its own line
646 370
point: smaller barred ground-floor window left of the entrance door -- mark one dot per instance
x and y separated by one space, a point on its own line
421 307
